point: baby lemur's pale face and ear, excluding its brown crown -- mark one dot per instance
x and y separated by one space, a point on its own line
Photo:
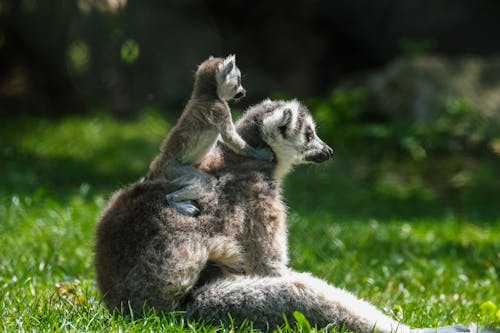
229 80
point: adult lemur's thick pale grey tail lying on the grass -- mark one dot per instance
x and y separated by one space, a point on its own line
266 300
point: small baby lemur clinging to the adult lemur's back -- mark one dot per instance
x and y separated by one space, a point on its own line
205 116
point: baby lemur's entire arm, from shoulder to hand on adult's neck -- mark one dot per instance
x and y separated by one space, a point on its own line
223 121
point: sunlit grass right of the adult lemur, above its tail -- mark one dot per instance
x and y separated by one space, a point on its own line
427 272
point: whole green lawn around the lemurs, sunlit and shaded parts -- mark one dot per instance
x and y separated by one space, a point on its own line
423 261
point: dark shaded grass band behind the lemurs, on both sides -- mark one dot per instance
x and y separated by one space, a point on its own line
308 190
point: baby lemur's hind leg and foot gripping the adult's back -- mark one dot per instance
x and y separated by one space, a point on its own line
194 185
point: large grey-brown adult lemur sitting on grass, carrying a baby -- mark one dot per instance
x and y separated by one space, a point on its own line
232 258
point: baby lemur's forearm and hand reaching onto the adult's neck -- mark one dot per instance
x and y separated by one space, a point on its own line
238 145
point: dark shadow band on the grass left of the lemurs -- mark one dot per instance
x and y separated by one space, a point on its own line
26 173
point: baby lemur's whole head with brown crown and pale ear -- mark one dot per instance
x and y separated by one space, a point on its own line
220 77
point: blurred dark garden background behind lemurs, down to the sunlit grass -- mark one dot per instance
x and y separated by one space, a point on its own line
406 92
